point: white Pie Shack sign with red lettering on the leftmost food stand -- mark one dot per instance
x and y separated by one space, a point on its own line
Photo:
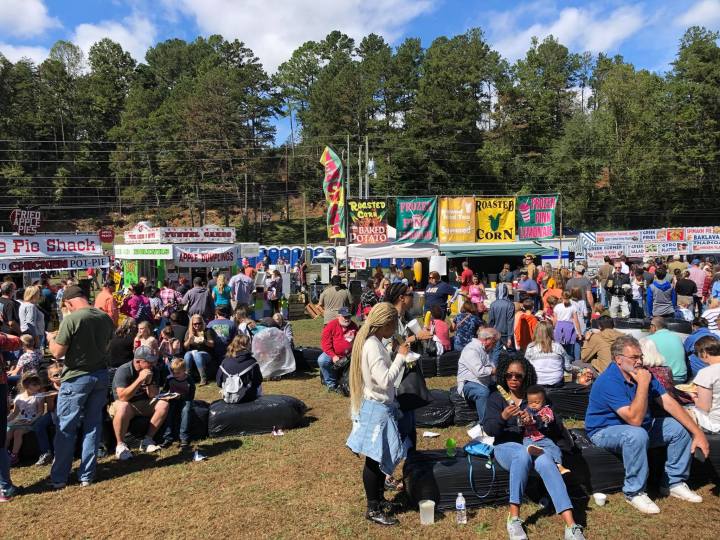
50 245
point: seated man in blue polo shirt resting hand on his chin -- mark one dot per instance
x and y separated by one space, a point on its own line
618 419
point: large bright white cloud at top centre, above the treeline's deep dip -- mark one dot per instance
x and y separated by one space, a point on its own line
273 29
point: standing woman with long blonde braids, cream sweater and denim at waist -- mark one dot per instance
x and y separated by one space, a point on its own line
374 409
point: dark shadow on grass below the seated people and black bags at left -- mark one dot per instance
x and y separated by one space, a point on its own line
111 469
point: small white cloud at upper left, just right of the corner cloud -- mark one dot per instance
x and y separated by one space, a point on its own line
135 33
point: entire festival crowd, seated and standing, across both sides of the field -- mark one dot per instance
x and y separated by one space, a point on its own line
540 328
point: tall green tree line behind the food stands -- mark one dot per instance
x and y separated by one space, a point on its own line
192 127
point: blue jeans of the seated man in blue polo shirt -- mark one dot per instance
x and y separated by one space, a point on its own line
633 442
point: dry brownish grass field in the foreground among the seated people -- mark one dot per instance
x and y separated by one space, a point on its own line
304 484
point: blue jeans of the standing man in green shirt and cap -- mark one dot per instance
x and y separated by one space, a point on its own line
80 402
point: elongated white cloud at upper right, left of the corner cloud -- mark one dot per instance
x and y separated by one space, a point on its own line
577 28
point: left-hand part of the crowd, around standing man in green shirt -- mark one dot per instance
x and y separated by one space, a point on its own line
138 352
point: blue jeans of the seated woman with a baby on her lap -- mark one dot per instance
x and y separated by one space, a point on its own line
513 457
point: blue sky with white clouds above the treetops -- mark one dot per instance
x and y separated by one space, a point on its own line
646 33
